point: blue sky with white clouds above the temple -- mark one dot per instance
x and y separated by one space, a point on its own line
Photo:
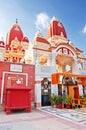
34 15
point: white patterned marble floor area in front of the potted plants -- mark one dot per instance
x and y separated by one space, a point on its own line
76 115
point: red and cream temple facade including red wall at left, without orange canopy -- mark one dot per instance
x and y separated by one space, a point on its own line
38 60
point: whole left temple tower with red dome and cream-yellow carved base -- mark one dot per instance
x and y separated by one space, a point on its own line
16 44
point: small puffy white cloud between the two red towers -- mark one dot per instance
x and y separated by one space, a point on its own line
42 21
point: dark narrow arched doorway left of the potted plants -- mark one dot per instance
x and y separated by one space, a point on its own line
45 92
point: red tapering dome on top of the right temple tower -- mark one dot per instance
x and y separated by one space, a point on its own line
56 28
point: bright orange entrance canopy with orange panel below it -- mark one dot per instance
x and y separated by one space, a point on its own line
70 81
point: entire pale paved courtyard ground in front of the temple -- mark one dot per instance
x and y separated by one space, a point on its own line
46 118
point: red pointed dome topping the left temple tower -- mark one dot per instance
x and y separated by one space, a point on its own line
15 31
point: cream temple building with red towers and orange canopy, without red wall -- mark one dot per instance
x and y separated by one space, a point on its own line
59 64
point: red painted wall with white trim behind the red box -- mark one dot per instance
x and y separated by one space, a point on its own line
5 68
